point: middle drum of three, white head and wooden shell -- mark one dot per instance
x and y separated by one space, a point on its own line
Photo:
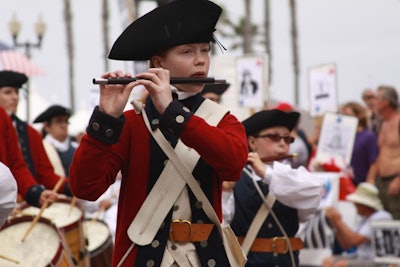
69 221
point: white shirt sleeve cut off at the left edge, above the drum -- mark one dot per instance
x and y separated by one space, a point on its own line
8 193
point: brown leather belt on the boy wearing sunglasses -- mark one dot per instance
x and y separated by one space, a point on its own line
277 245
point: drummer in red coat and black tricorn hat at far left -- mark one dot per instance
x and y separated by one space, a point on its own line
30 141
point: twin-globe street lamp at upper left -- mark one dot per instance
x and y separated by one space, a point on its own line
40 29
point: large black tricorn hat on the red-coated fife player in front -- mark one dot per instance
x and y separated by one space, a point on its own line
172 24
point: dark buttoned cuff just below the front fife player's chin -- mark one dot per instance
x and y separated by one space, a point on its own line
175 118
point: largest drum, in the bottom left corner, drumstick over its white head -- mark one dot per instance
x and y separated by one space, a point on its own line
42 246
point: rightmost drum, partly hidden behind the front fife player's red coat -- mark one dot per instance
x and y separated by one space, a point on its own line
100 243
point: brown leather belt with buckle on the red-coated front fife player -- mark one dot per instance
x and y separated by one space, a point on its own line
183 231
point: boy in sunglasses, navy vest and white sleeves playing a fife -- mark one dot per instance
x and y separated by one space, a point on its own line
293 194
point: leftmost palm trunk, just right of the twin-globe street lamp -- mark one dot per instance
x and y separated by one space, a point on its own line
70 50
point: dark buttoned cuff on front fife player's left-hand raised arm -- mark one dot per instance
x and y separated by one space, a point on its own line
105 128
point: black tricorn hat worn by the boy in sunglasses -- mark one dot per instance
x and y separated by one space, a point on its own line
270 118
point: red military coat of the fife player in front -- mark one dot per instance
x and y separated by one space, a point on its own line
96 164
